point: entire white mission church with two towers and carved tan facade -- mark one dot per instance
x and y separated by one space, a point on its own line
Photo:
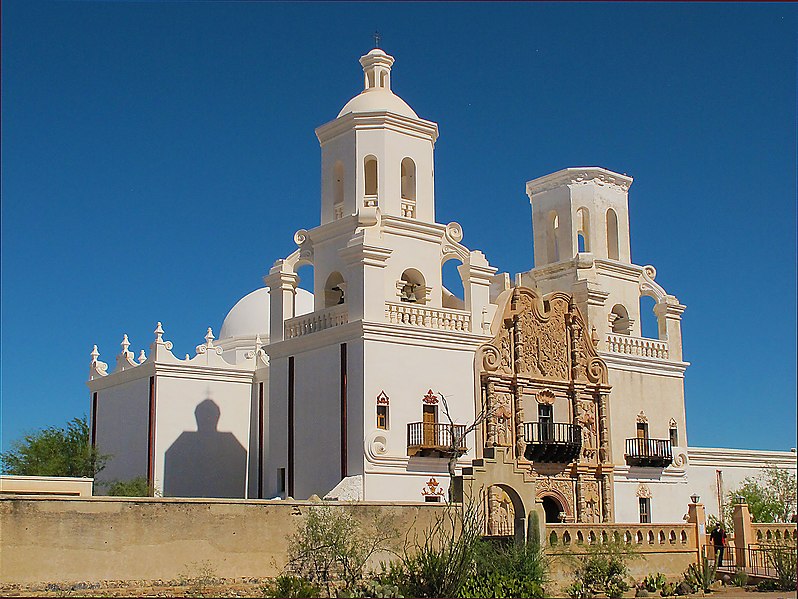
365 388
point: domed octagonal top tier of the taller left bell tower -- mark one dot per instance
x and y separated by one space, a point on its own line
377 153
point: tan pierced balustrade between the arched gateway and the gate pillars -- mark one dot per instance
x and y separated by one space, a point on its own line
645 537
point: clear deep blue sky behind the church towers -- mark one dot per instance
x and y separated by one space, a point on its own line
158 157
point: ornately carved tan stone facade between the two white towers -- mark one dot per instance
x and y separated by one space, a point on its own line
542 381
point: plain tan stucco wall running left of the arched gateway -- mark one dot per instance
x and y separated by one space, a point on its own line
107 538
